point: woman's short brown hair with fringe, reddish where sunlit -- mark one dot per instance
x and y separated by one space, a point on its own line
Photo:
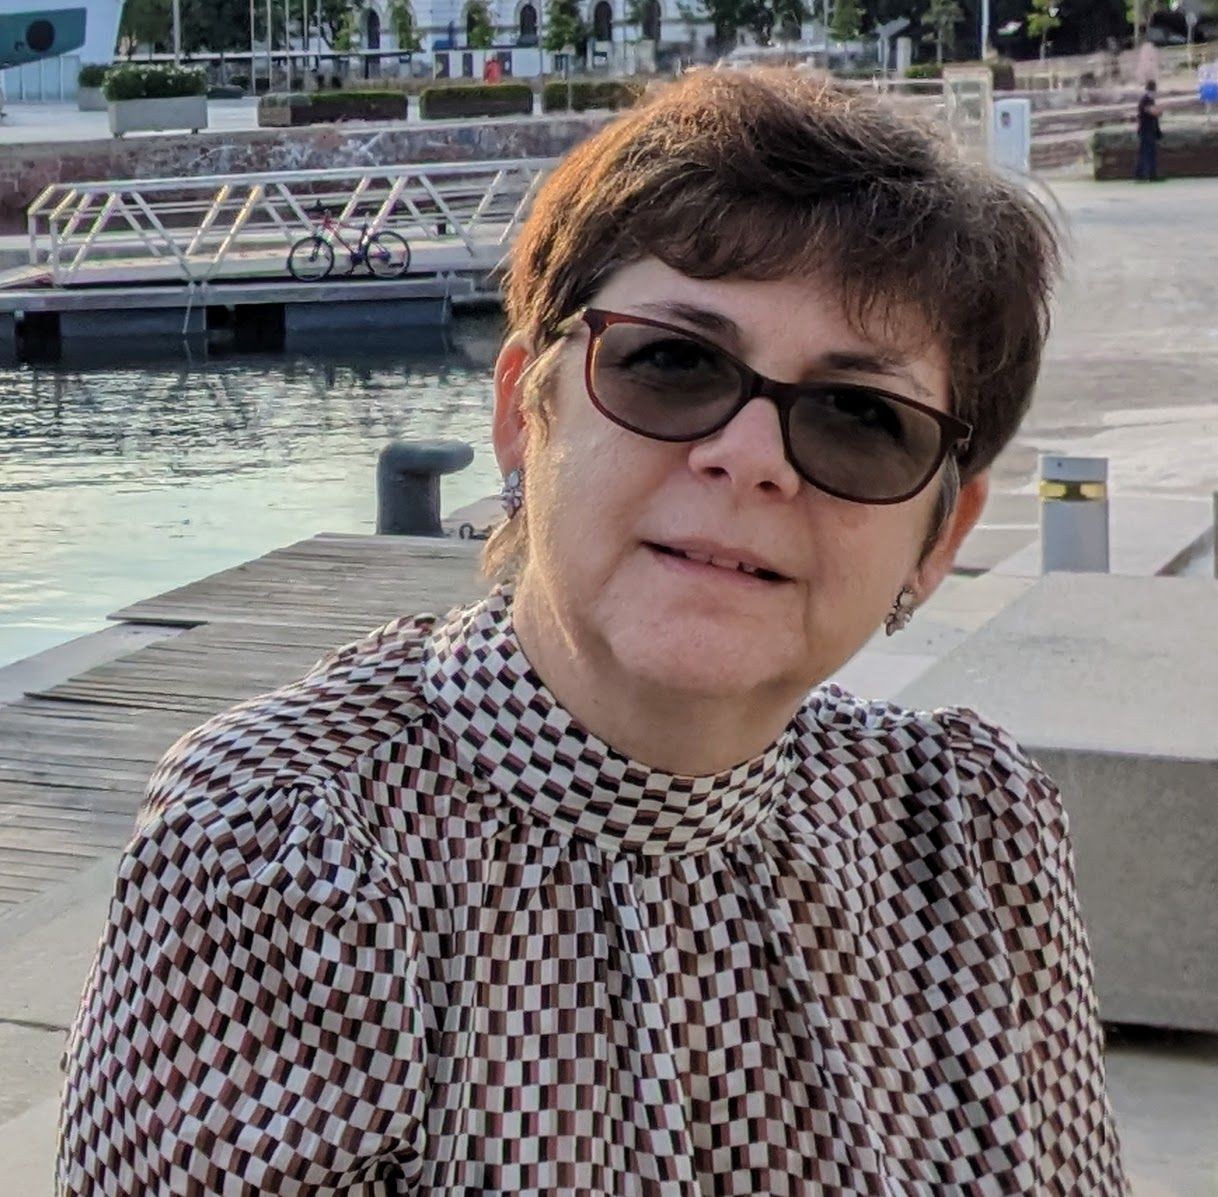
768 175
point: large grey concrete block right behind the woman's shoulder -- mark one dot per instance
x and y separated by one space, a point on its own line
1110 684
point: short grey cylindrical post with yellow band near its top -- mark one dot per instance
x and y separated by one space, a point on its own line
1074 514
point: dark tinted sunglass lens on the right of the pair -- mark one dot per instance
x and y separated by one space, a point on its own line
862 444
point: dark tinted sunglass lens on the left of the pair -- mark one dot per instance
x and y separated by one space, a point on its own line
663 384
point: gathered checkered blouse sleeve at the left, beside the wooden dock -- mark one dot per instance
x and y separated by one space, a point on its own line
252 1022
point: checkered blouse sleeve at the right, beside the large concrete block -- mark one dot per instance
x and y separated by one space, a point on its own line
1029 868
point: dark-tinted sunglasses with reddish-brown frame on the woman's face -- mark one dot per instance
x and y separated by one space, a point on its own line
854 443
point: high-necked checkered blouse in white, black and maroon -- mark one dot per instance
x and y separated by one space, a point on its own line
405 927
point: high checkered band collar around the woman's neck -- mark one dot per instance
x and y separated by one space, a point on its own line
512 732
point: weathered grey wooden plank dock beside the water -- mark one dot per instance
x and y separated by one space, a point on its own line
75 758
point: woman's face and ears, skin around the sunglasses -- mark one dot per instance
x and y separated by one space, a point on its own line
606 507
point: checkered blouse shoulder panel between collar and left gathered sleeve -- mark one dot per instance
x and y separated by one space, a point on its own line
306 732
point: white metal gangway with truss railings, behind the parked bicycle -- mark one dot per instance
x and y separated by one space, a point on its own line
460 220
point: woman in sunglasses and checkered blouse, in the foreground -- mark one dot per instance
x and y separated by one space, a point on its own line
589 888
